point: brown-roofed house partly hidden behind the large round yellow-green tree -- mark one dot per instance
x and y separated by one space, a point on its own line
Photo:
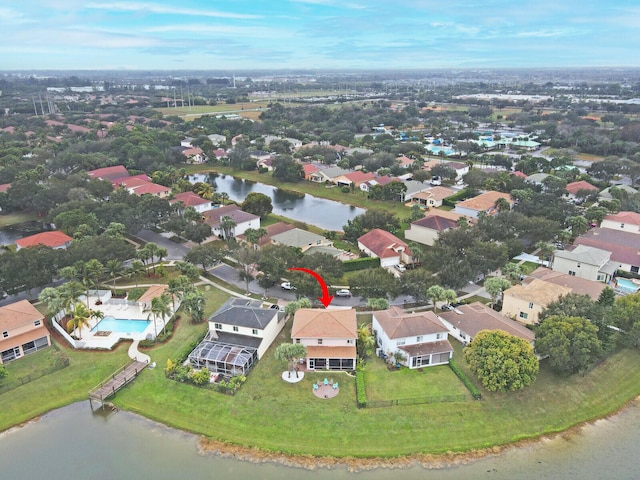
466 321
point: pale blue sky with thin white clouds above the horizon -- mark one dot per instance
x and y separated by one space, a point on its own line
317 34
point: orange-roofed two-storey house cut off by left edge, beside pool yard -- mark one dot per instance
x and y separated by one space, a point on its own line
23 331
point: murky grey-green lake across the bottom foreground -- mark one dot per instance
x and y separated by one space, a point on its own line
73 442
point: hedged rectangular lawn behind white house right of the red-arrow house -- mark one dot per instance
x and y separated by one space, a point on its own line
410 383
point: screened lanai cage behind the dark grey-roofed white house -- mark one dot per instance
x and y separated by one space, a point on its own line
225 358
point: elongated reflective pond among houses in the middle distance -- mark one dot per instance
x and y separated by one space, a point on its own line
323 213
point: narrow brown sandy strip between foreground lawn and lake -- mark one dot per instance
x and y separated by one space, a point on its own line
427 461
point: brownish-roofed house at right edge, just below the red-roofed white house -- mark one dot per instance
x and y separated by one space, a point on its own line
623 246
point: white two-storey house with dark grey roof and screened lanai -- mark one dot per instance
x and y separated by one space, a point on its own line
240 332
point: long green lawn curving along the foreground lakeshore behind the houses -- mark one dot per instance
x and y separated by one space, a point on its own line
277 416
